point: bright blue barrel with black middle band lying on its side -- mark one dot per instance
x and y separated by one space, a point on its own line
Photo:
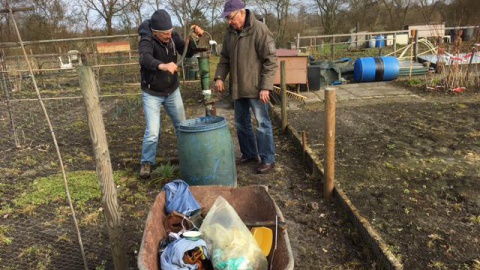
370 69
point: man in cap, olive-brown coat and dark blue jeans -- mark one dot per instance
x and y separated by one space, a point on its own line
249 56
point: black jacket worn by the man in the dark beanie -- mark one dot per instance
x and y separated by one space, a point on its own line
152 53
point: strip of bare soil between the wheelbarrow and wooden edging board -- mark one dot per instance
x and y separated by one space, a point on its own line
320 236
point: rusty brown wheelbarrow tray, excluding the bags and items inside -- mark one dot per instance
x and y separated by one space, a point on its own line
252 203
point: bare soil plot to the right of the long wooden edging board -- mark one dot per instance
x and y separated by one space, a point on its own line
411 165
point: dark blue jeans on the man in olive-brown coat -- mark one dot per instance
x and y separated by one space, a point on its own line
262 144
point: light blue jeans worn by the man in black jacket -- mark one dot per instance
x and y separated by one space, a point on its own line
152 107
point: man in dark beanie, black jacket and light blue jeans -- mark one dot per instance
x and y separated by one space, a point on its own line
159 48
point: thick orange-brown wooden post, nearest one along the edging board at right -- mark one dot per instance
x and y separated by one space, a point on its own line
329 137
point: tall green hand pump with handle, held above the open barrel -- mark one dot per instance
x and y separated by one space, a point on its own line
195 38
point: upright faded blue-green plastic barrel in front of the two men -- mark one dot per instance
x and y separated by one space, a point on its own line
205 152
